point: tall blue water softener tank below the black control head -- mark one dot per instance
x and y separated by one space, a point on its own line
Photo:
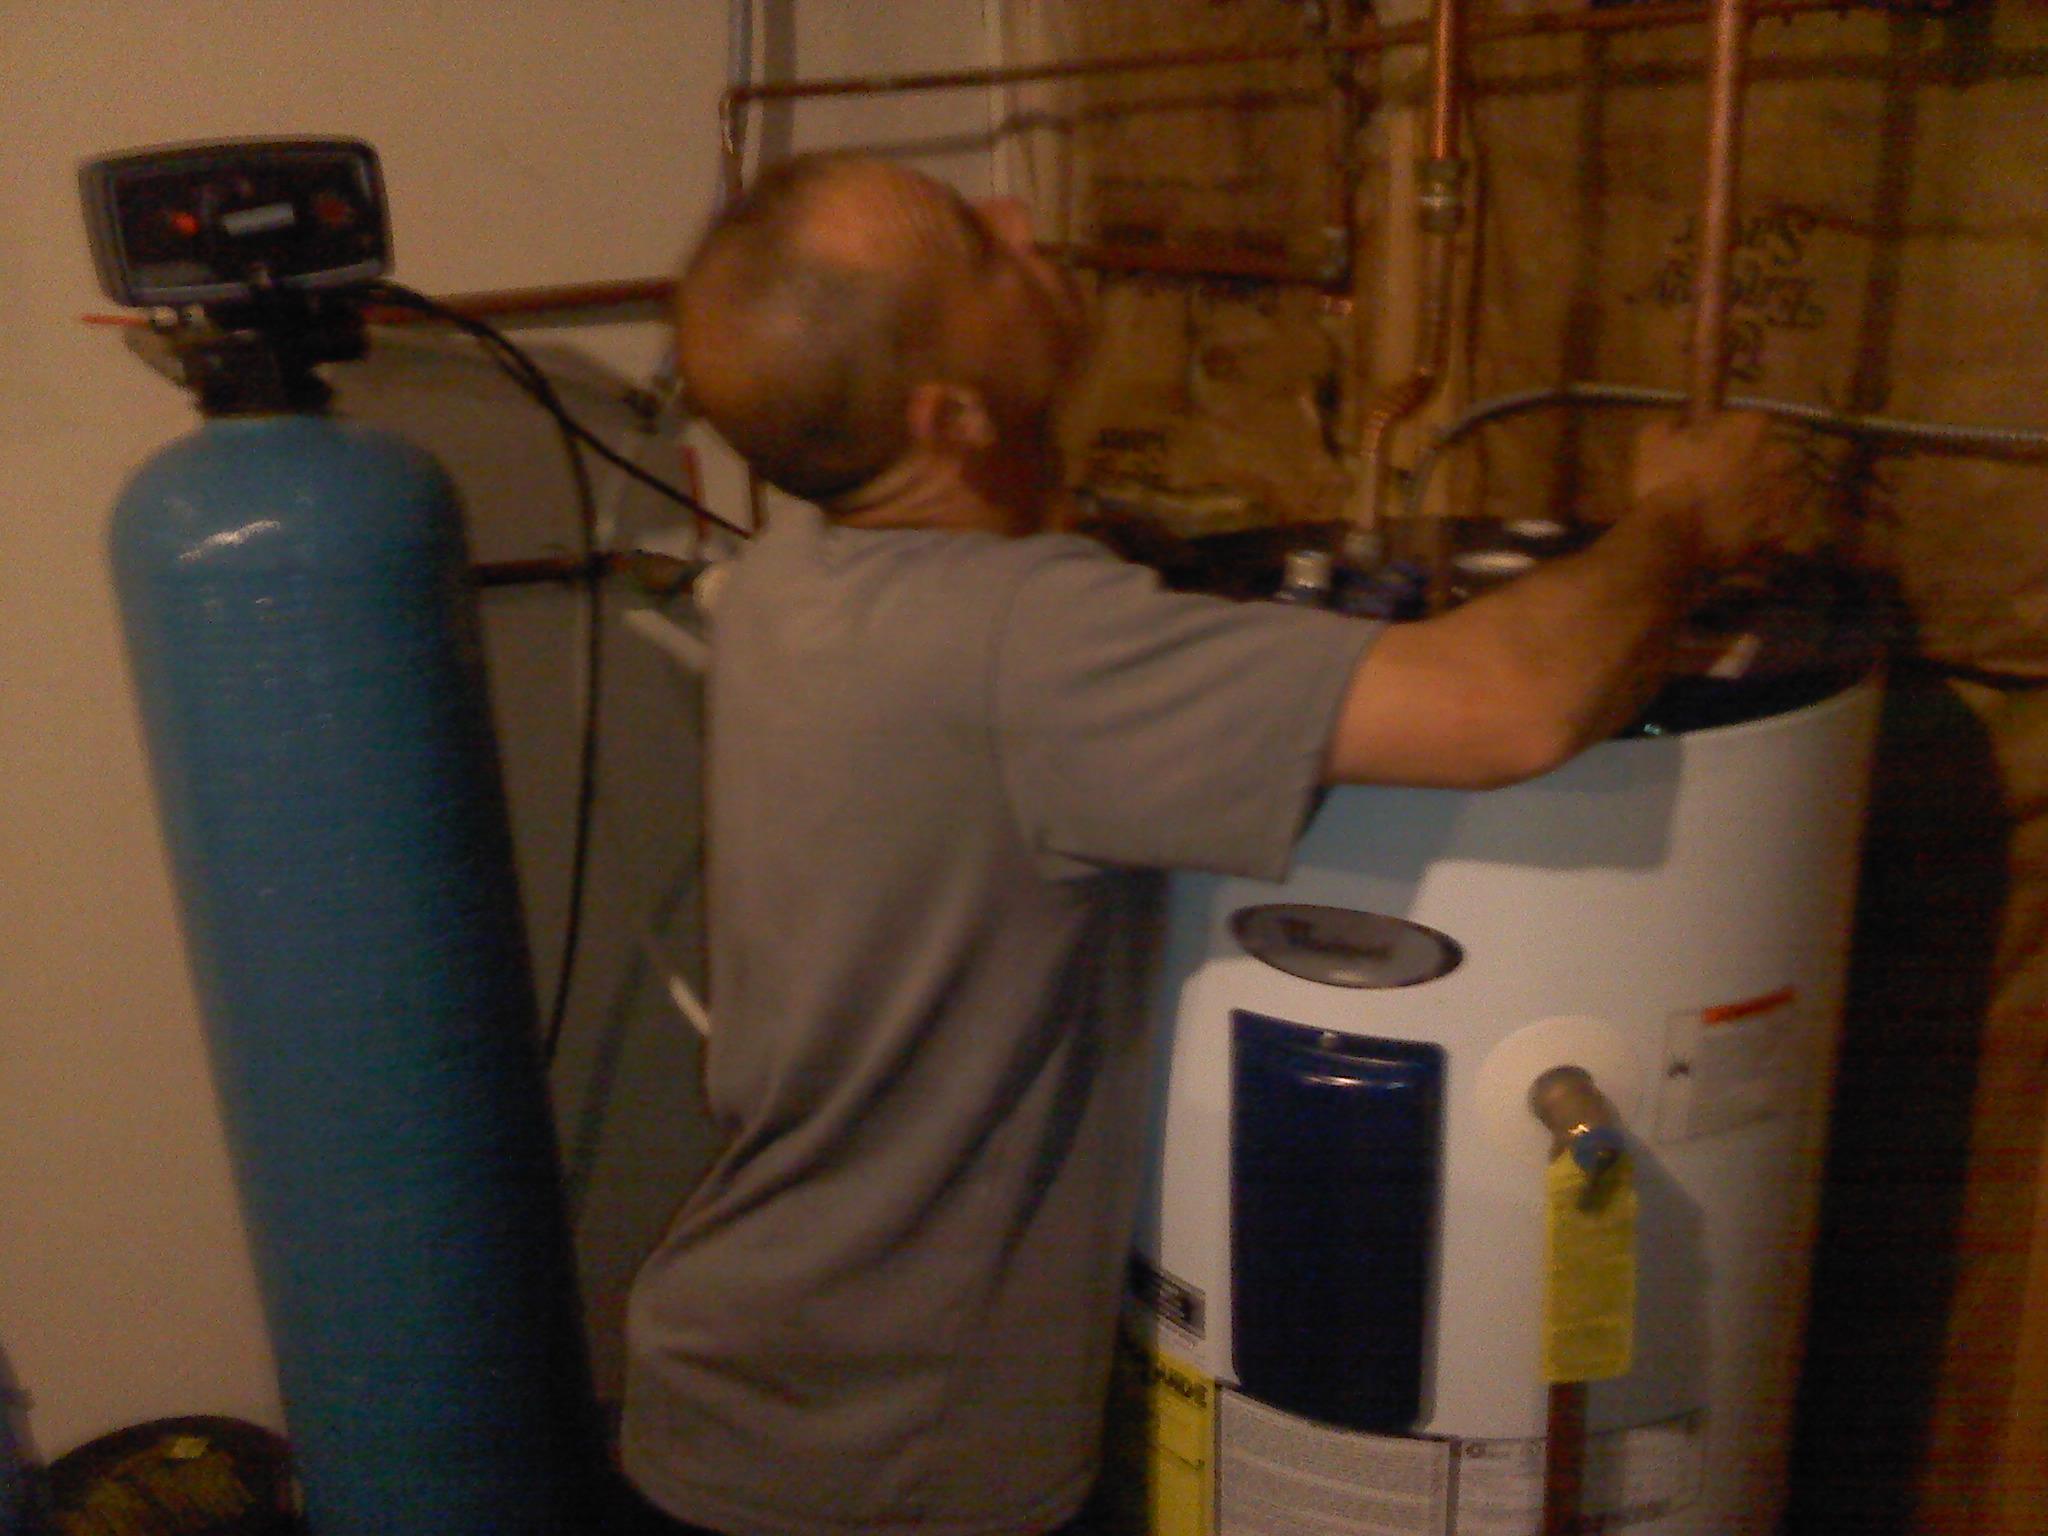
312 689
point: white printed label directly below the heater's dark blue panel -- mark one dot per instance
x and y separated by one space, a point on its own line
1279 1476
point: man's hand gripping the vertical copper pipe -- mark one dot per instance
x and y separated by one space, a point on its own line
1742 488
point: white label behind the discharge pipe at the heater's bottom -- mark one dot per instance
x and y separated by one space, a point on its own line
1631 1478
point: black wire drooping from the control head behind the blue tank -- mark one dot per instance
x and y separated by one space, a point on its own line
574 437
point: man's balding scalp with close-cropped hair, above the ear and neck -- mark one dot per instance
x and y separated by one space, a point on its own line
812 308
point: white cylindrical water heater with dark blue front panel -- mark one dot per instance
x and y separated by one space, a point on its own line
1342 1261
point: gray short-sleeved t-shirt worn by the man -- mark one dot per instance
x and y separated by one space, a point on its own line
945 775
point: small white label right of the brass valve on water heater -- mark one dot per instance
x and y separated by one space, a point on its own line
1727 1066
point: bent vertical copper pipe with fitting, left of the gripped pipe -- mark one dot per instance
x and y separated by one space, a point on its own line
1443 214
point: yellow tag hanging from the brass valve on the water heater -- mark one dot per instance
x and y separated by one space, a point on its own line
1590 1258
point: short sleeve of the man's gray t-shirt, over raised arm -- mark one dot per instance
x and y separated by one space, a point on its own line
1148 728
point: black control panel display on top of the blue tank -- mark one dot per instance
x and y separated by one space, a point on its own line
224 222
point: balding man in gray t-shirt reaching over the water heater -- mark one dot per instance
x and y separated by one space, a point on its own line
949 757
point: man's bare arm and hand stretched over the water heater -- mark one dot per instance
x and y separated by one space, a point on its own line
1521 681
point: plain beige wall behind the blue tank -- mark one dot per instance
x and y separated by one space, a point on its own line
523 144
